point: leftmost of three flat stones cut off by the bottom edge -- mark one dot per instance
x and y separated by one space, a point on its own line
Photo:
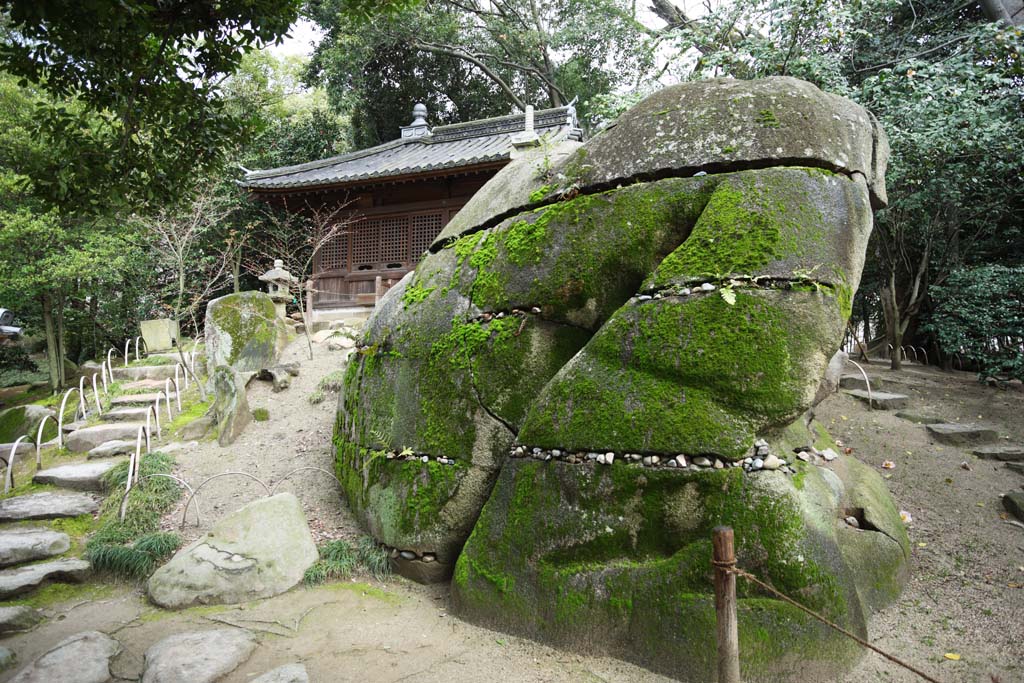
84 658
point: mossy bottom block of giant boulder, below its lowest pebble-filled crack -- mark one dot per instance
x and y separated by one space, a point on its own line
563 552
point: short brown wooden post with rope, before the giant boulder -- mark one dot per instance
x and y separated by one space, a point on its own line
724 562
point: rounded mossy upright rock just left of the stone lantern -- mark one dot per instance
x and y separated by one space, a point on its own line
243 331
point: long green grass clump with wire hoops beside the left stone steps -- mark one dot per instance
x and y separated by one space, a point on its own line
133 549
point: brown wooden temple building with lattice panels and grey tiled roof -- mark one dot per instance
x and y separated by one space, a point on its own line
399 196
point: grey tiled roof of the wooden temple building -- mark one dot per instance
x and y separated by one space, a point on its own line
446 148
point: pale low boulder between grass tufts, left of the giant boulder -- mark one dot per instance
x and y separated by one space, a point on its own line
257 552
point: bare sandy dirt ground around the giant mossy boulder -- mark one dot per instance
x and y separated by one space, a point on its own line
966 594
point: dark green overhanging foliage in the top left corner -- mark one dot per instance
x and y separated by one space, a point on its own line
135 106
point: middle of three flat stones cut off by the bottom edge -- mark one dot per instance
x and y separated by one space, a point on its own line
201 657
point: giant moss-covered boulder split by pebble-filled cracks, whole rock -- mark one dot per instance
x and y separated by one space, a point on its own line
674 287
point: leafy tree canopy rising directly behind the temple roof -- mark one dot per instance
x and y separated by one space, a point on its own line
474 59
